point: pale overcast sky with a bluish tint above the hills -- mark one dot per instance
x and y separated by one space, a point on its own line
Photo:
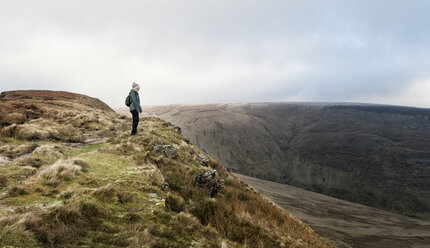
204 51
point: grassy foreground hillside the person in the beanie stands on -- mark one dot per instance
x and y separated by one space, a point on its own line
71 175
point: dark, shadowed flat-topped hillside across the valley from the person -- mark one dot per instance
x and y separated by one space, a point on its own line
375 155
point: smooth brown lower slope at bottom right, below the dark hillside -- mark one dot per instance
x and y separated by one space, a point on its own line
344 223
